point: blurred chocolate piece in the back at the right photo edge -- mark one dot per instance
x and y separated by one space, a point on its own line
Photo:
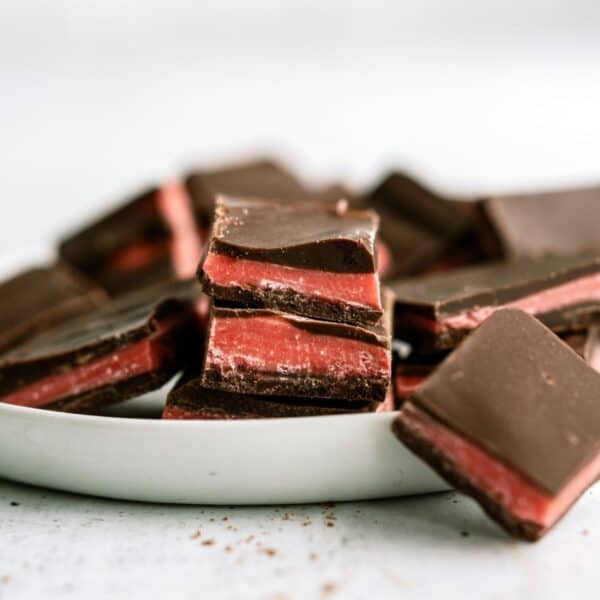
534 225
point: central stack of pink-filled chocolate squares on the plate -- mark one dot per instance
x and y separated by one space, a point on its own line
298 324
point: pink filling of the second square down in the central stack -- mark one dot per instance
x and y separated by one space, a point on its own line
272 344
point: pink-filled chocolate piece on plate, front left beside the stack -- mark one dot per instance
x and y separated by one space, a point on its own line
125 349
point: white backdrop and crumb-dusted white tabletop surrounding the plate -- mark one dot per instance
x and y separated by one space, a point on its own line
98 98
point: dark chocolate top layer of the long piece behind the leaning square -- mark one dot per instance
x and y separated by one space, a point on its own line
492 284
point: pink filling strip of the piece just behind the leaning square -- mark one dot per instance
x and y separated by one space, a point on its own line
585 289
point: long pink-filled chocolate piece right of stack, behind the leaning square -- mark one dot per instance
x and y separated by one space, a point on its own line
436 312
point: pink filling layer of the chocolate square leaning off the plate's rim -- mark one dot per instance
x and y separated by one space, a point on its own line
521 498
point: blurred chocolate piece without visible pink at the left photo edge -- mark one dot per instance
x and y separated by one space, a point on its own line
41 297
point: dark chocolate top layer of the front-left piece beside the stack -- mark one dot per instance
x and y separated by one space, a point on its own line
97 333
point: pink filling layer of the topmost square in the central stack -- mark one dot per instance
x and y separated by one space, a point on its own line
360 289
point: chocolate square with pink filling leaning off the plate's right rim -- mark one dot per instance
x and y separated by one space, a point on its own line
510 418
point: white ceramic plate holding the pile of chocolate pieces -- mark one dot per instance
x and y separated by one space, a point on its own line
316 459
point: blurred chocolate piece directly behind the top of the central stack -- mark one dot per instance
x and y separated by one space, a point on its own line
256 179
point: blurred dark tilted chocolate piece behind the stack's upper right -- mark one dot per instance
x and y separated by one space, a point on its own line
422 231
